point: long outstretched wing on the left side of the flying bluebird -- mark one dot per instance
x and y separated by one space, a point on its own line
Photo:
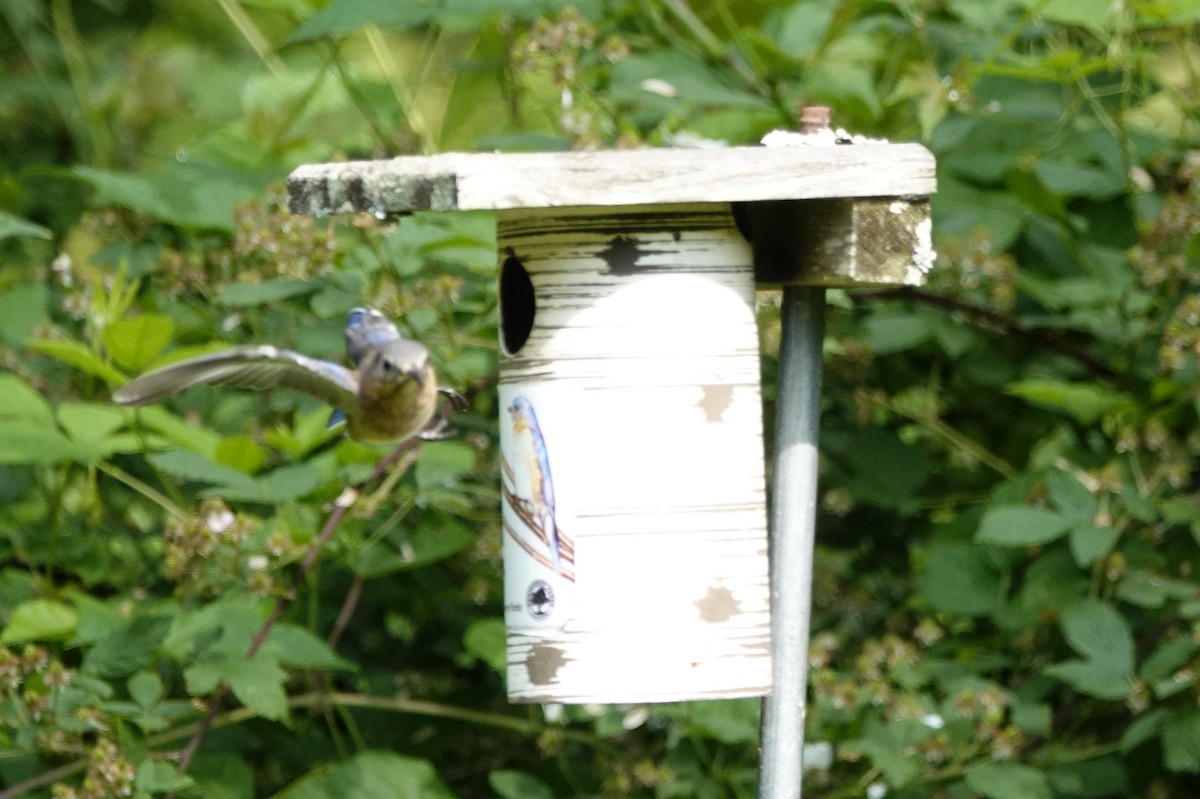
247 368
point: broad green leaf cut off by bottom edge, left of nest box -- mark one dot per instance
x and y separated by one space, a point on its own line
370 776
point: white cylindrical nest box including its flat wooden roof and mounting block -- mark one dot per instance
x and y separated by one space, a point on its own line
634 503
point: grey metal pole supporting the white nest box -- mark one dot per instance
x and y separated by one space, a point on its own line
793 528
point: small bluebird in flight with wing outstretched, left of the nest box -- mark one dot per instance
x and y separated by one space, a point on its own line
389 397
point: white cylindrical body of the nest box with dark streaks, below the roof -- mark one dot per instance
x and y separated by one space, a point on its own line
643 363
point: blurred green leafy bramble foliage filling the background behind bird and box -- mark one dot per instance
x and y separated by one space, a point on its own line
1007 597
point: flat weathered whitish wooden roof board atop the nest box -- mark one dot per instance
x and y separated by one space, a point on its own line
608 178
